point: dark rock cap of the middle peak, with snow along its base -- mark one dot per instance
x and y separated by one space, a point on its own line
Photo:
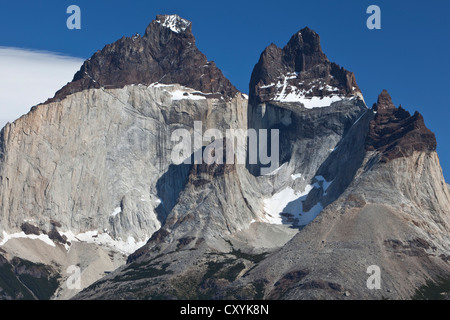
307 67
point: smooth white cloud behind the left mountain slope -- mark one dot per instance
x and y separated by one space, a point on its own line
29 77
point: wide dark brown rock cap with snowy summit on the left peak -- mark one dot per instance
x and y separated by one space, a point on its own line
166 54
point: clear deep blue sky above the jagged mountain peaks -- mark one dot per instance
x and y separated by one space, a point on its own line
409 56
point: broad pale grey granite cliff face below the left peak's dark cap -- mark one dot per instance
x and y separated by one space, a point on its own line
94 160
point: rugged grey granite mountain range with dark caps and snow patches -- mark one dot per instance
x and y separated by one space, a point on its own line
88 179
